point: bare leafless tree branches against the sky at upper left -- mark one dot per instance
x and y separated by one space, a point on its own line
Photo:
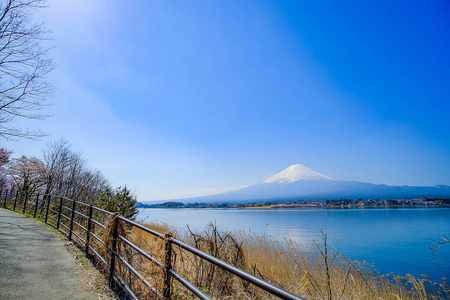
24 66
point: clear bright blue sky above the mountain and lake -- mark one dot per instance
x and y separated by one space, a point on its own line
185 98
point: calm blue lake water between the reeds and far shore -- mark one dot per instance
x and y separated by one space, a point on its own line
395 240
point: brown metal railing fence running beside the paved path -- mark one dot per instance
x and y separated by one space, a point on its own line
138 260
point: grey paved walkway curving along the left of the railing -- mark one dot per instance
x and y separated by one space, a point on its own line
34 263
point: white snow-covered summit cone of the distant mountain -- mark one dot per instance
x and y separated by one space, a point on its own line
295 173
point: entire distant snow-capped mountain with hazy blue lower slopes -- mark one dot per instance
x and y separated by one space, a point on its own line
299 182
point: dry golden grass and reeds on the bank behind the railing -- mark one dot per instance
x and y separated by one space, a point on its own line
316 271
